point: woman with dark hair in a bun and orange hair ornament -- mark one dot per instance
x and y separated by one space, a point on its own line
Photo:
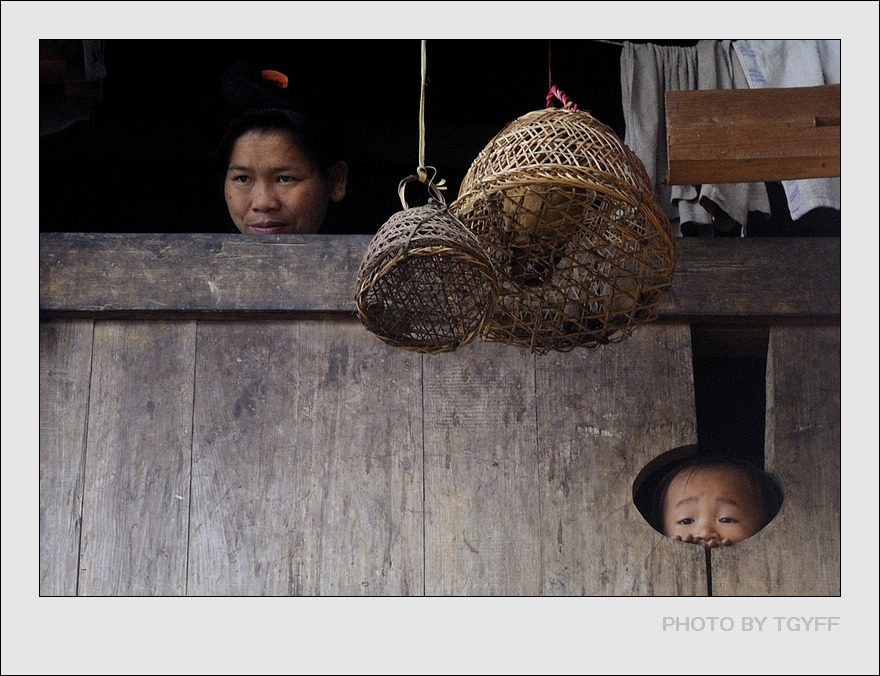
282 168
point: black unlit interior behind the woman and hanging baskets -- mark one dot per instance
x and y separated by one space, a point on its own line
143 163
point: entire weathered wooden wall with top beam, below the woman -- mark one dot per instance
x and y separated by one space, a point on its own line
214 420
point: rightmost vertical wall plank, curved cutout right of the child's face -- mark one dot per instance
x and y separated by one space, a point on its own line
798 554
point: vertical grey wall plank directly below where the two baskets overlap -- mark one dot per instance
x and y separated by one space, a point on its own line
482 500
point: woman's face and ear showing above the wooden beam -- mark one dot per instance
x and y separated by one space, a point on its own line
272 188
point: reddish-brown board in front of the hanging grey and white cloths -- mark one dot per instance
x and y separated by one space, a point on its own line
748 135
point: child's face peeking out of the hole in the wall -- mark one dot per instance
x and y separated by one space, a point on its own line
711 506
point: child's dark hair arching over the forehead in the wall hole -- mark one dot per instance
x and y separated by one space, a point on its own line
766 485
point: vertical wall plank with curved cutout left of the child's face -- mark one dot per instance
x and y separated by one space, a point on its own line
602 416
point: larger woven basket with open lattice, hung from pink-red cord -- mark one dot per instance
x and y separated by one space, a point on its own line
566 212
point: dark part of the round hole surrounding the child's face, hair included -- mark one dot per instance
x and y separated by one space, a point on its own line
651 483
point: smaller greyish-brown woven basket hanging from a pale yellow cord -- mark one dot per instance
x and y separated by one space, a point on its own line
425 283
